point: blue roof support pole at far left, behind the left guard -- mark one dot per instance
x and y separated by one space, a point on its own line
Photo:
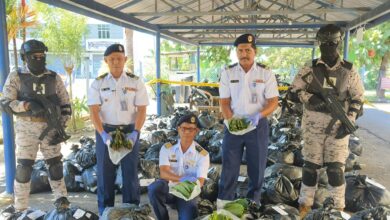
8 128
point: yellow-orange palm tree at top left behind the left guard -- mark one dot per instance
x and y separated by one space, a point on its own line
19 17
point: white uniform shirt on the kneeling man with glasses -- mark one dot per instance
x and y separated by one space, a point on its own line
194 162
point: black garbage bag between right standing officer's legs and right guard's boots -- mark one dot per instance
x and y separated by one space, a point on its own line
281 190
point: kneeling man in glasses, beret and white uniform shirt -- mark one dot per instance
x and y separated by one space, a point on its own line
185 160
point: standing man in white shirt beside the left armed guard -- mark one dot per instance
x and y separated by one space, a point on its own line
117 100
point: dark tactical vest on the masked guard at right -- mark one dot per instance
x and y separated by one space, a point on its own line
334 81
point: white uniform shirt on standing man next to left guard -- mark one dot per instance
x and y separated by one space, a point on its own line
118 98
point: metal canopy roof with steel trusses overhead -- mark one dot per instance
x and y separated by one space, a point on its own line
283 22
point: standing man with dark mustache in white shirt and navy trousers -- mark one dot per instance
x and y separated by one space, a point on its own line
247 89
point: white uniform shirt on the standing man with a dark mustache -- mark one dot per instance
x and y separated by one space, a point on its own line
248 91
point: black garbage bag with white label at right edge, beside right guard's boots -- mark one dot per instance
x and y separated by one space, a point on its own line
363 193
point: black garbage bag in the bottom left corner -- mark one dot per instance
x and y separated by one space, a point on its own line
9 213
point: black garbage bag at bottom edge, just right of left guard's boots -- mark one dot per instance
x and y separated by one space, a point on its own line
63 211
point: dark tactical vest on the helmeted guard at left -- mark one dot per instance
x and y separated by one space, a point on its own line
31 85
